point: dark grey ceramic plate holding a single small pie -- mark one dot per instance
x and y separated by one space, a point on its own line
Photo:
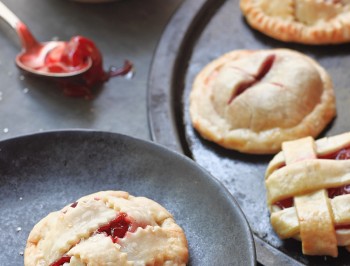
42 173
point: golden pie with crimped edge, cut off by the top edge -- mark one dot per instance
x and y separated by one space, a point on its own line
303 21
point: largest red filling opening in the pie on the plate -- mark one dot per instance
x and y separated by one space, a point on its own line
116 228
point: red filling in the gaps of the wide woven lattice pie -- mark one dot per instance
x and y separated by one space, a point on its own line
343 154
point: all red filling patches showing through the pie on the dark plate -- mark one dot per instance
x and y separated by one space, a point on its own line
115 229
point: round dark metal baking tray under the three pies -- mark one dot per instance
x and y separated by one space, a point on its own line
200 31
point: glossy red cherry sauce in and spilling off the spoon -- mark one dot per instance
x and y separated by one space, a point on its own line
70 57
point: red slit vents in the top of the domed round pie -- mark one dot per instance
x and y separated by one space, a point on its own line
264 69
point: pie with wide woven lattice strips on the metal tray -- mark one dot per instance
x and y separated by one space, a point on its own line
308 193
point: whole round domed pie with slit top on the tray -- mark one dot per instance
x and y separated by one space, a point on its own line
252 101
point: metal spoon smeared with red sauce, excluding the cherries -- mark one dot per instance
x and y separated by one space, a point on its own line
34 52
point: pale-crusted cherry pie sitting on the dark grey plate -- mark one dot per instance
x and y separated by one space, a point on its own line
107 228
